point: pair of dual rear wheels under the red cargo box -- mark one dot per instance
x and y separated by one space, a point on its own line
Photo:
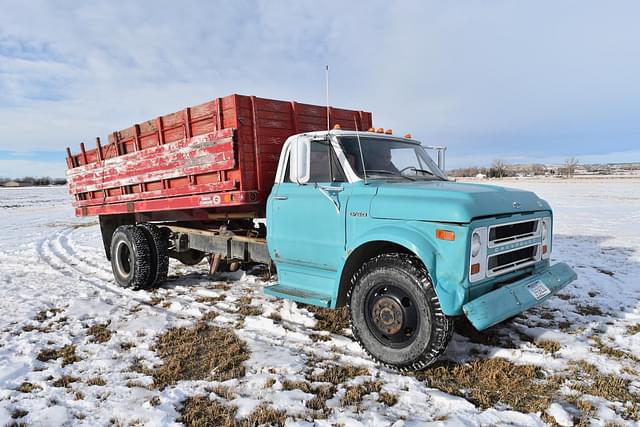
139 256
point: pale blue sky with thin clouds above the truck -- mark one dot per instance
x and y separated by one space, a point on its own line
521 81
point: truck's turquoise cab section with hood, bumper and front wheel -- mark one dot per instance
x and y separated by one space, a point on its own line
368 220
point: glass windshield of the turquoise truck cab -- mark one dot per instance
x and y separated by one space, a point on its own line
390 158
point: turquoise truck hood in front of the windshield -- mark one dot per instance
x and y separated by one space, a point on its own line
448 201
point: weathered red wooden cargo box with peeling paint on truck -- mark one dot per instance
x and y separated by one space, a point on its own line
220 156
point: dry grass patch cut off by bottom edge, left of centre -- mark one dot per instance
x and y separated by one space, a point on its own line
199 411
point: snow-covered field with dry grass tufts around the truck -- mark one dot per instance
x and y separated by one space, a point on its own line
55 284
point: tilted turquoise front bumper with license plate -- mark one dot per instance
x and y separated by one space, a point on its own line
516 297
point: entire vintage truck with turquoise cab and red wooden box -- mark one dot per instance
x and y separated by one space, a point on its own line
355 216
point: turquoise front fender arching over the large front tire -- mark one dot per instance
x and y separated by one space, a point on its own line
444 260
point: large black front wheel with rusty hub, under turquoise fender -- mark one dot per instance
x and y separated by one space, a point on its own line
395 314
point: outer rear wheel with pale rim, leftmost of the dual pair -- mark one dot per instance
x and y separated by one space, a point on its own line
130 257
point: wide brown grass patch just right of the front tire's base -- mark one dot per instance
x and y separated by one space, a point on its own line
488 382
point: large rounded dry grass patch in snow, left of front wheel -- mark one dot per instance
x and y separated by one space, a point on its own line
200 352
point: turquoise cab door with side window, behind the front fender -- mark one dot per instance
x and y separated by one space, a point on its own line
307 224
